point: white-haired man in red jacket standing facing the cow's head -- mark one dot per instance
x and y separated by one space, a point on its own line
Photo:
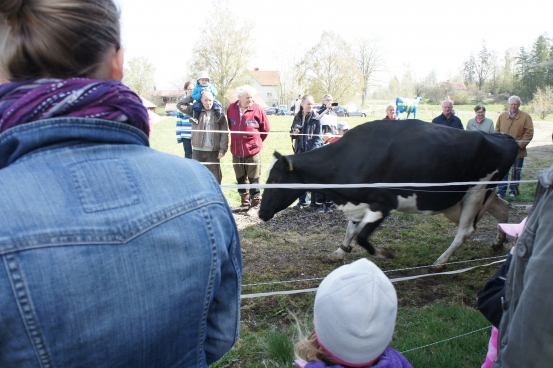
248 124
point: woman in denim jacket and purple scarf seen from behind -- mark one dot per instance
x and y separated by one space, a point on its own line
103 262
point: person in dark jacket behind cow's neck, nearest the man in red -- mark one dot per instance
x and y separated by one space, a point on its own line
306 135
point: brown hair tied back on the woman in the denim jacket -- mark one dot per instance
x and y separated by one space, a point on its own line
56 38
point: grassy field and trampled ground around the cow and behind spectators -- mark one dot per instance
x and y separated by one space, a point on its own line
291 246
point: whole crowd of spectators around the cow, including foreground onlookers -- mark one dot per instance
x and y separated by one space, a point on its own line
99 270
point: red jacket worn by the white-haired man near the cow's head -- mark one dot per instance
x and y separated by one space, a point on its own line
253 120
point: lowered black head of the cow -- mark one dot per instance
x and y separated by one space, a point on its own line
282 171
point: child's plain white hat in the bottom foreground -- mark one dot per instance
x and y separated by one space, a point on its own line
355 313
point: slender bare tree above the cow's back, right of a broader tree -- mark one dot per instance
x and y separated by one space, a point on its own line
369 60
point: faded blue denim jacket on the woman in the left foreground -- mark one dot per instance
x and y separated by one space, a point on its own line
112 254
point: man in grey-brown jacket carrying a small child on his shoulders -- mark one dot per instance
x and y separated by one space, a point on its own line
209 143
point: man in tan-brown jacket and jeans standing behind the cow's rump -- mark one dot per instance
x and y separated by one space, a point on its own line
517 124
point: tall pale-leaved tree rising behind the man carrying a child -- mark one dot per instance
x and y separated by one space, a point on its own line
223 50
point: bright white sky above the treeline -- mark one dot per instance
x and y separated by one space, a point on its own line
418 35
